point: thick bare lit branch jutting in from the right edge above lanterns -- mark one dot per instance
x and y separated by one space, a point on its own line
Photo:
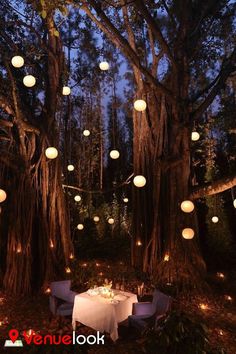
213 188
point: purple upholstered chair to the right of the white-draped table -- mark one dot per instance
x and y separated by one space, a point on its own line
149 313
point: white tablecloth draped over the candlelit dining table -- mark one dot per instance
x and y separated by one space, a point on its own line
102 314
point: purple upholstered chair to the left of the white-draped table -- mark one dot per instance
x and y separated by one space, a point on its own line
61 301
